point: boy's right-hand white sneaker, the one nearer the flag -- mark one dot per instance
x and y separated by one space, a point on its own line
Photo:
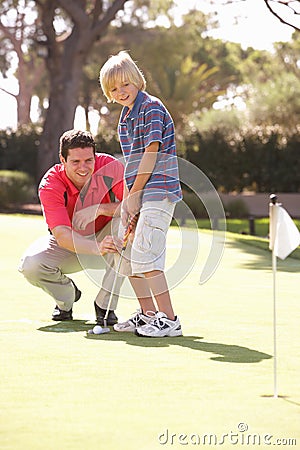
160 326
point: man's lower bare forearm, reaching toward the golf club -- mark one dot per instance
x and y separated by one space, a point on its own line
69 239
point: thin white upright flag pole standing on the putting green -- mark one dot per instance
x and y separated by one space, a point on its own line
273 221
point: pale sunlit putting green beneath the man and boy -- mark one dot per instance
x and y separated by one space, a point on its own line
62 389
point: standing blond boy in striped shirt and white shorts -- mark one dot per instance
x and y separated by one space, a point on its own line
151 189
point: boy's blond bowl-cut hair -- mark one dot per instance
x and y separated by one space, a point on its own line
120 68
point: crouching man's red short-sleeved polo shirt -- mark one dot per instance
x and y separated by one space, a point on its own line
60 198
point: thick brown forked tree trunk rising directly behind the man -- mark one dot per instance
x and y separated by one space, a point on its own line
82 23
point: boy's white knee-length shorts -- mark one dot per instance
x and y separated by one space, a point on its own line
148 250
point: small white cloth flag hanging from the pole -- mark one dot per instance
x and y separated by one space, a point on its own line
284 235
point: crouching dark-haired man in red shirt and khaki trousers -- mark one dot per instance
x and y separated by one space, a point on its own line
77 207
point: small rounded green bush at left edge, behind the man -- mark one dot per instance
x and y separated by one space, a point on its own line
16 188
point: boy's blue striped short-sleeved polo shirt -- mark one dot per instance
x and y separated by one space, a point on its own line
147 122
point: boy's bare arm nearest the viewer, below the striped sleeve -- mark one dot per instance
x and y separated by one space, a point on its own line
146 167
